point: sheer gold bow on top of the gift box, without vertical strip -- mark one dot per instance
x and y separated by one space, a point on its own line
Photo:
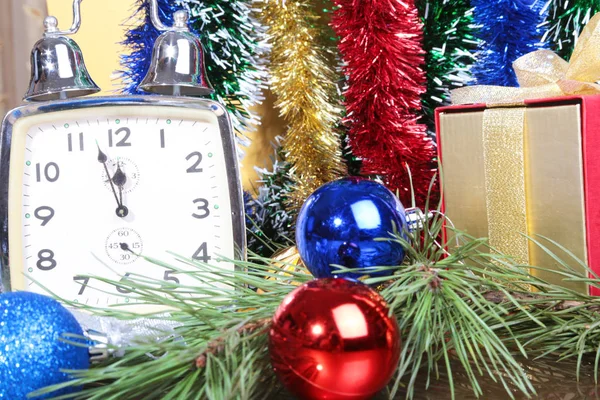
544 74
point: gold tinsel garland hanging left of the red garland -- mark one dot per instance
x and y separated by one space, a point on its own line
305 86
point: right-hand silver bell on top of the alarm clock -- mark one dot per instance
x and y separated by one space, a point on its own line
177 66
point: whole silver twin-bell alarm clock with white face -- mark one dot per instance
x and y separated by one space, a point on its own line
94 186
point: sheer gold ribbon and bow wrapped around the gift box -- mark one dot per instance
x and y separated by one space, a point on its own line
540 74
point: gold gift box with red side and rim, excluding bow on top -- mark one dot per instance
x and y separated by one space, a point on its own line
531 168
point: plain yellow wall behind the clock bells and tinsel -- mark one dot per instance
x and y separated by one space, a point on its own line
103 27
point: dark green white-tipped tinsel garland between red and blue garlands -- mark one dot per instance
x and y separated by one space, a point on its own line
450 51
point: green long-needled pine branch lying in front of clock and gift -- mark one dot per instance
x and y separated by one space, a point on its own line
467 313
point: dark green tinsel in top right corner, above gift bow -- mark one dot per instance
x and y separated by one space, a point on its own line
566 20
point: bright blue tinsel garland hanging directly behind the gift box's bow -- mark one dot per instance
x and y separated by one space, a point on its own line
508 29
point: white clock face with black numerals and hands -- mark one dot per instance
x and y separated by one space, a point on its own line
101 187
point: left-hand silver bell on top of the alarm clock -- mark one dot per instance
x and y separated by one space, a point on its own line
57 67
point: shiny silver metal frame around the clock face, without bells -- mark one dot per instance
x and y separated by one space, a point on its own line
28 110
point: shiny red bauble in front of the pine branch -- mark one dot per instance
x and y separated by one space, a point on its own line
333 339
